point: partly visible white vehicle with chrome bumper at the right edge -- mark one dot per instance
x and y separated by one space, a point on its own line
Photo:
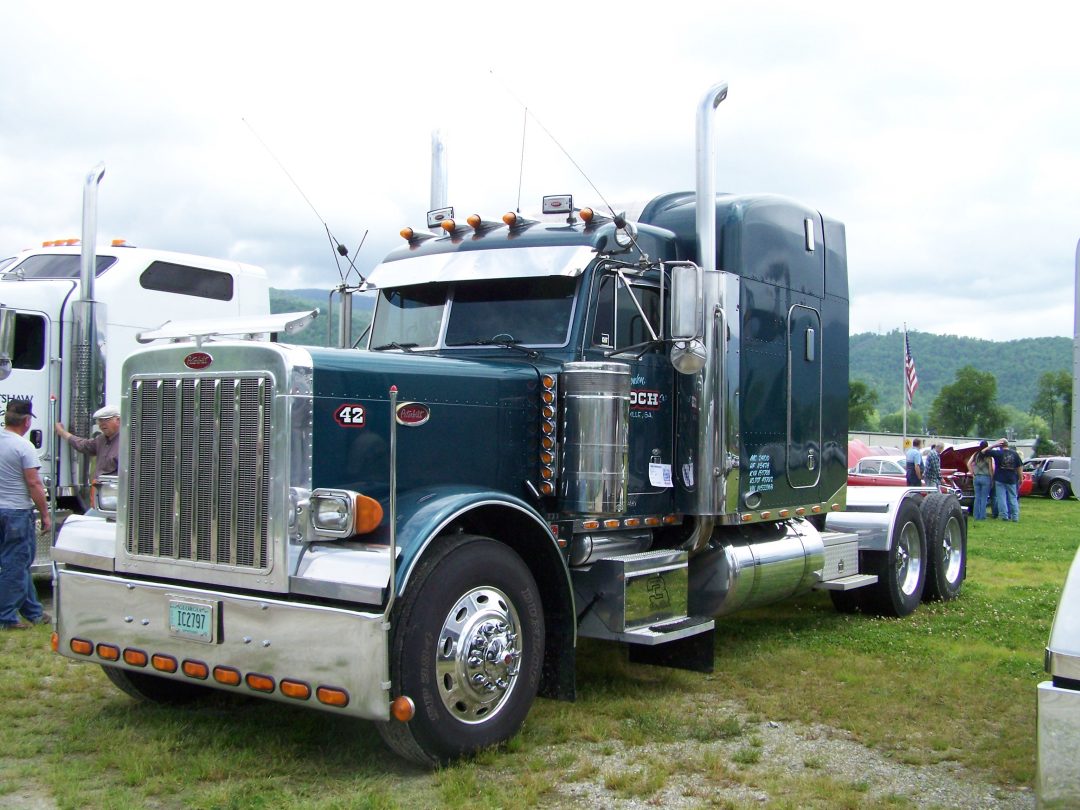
1058 726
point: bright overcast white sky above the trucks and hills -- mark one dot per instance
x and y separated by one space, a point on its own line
948 141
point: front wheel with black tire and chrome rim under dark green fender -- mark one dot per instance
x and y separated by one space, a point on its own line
467 649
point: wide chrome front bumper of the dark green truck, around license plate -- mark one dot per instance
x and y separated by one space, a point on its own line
316 645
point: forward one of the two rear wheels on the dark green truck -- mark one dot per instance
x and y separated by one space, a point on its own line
901 571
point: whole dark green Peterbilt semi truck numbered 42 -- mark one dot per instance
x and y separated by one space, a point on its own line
557 429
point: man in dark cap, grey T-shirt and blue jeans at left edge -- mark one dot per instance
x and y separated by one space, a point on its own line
21 491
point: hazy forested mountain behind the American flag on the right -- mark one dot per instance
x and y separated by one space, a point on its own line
879 361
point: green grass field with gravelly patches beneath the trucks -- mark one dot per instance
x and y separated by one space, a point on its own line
954 684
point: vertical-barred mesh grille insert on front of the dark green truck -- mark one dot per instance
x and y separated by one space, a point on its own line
198 462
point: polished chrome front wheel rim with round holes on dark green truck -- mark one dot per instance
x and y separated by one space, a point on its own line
479 655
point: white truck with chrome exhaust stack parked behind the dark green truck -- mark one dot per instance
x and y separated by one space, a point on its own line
70 316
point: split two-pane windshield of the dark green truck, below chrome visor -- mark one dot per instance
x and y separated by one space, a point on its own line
534 312
